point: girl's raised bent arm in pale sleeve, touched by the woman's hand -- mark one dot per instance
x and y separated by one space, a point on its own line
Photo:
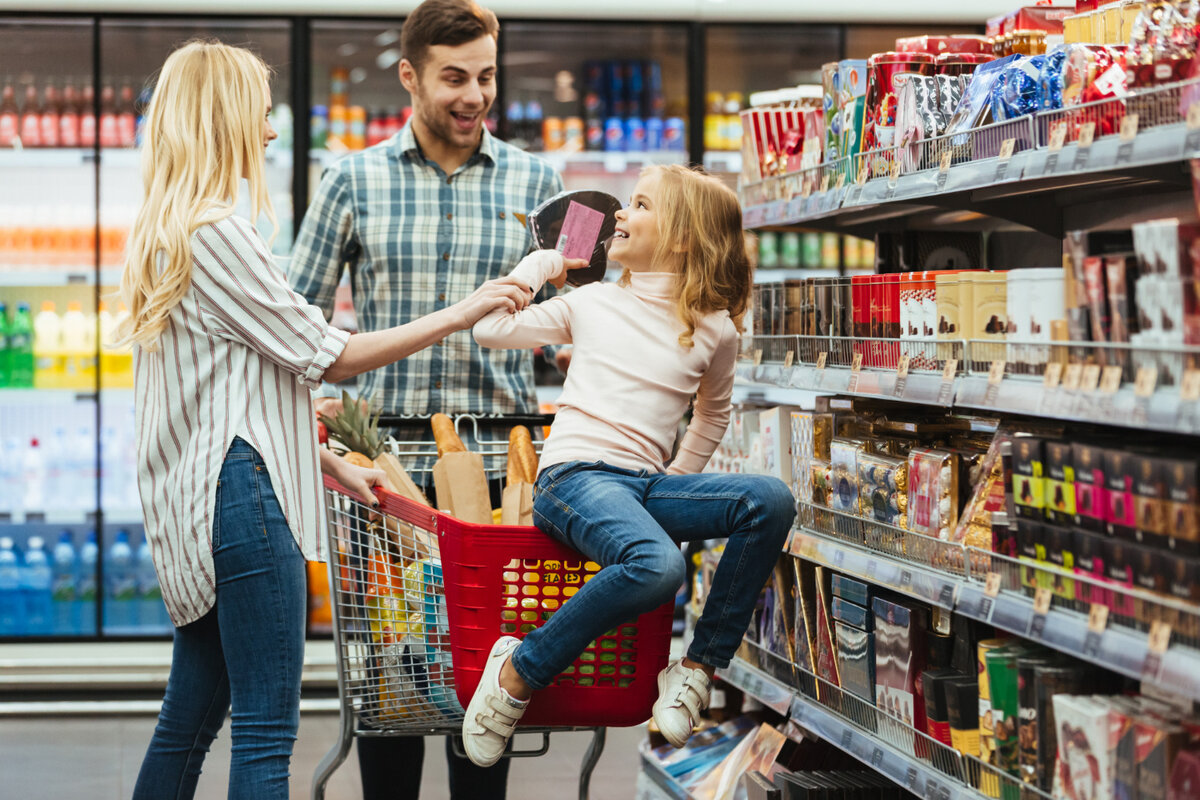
544 323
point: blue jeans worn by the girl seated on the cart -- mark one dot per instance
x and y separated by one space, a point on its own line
632 525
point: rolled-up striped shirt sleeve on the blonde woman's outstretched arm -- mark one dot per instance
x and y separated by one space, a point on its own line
247 299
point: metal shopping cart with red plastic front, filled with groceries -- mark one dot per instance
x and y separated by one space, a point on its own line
418 599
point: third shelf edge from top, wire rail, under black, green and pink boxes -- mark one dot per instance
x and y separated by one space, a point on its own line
867 550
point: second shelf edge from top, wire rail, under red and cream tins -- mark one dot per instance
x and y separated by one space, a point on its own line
1166 408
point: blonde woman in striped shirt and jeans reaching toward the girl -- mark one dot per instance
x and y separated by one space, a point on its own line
225 360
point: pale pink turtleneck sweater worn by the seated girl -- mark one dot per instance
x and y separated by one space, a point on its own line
631 382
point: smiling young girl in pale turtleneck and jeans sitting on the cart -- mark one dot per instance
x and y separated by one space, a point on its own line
644 350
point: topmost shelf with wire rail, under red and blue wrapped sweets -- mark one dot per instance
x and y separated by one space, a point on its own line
1029 190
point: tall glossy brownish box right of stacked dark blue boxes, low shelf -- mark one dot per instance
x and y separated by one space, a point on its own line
899 660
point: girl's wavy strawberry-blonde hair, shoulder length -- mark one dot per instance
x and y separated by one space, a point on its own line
700 230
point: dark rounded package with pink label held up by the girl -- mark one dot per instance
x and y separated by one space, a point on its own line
579 225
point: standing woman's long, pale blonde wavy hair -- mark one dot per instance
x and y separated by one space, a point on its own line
203 133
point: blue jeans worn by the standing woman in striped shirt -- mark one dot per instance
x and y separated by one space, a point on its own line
248 651
